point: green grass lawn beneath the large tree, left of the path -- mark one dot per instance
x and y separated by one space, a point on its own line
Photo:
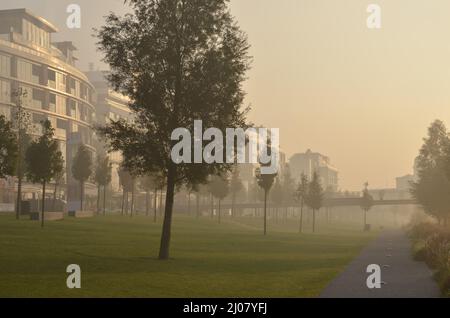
117 256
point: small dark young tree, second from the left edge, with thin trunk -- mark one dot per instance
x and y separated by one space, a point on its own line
44 160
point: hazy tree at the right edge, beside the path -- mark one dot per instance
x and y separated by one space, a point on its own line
432 187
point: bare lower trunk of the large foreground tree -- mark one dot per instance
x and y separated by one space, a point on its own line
167 224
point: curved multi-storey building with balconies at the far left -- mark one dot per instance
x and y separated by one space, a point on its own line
55 89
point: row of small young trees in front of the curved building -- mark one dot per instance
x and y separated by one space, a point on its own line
34 154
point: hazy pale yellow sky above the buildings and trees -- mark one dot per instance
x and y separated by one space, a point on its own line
363 97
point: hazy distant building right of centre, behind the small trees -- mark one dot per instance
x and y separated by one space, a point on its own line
310 162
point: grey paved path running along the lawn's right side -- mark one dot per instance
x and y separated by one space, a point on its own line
402 277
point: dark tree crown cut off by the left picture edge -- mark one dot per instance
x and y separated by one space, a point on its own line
8 148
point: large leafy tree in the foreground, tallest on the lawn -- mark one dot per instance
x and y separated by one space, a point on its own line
178 61
